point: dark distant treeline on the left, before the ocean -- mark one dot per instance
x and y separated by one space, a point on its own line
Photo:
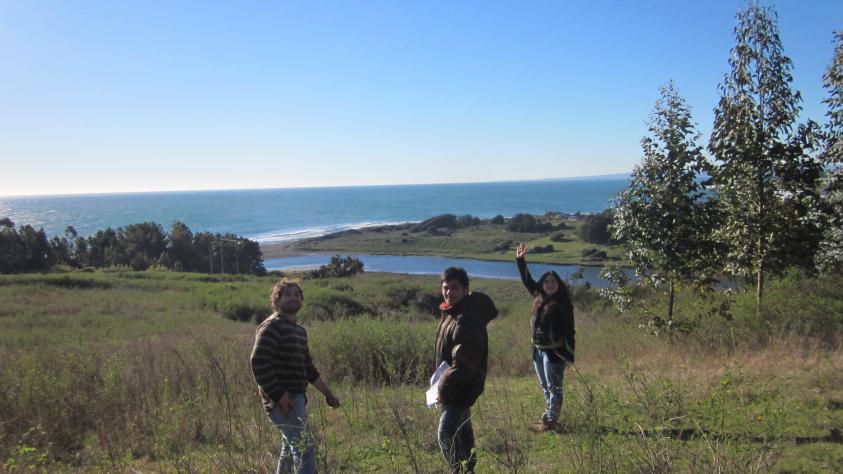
136 246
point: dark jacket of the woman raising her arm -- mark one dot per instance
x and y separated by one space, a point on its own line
552 324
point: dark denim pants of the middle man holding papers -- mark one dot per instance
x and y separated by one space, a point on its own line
456 438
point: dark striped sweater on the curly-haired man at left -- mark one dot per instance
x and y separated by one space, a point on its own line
281 360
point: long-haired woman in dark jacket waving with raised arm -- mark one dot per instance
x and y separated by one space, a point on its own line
552 330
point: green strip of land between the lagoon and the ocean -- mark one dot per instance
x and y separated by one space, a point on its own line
478 242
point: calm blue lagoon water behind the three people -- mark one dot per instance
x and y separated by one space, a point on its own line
424 265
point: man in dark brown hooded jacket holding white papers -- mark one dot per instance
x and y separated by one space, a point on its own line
461 342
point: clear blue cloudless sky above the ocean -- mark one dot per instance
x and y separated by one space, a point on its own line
120 96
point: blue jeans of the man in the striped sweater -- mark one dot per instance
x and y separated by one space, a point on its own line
298 444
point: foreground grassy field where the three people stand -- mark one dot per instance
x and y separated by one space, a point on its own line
148 372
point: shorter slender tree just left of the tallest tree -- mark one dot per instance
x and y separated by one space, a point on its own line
663 216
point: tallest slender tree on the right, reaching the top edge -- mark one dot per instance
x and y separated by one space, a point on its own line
754 142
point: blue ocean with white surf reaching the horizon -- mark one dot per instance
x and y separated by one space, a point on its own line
272 215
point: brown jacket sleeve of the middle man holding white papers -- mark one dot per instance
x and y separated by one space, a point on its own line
466 356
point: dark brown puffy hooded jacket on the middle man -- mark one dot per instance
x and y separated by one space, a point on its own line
462 342
